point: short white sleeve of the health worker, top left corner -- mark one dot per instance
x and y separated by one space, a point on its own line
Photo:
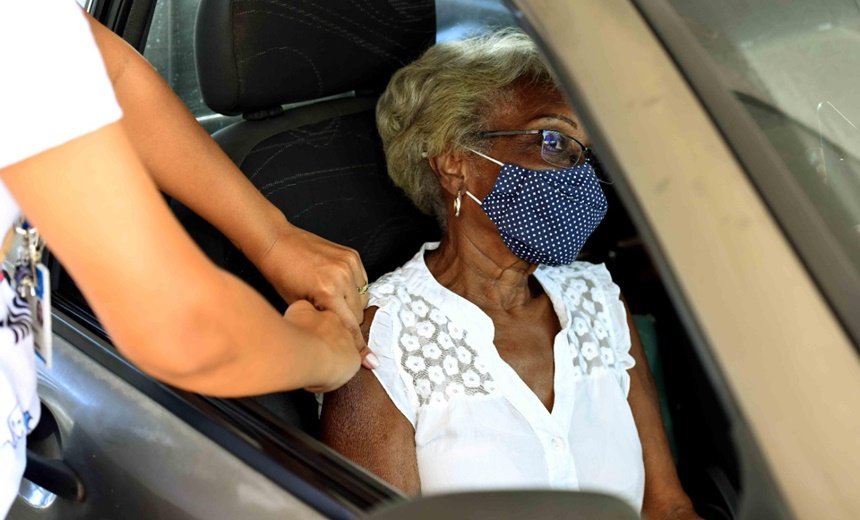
55 87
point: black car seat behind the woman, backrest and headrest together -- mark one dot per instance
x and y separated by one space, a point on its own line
305 76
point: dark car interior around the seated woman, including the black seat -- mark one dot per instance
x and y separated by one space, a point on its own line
305 82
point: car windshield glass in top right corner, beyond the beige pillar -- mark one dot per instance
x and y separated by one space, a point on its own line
795 67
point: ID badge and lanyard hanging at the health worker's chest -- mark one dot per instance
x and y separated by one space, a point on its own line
31 281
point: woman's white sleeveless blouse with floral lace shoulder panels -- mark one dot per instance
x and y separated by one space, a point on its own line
477 425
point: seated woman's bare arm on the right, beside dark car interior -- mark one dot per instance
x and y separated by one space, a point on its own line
664 497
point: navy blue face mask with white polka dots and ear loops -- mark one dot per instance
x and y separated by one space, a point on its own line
544 216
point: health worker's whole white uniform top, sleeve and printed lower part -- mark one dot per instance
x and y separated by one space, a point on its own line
53 88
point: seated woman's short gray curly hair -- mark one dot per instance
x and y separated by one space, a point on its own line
443 100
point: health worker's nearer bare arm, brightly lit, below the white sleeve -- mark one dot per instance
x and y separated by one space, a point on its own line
166 306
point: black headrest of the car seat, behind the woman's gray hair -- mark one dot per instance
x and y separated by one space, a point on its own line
256 55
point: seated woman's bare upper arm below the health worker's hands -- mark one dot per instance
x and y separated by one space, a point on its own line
361 422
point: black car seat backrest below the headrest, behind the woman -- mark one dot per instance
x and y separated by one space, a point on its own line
328 176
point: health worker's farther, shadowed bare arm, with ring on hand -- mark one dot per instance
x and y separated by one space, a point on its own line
187 164
